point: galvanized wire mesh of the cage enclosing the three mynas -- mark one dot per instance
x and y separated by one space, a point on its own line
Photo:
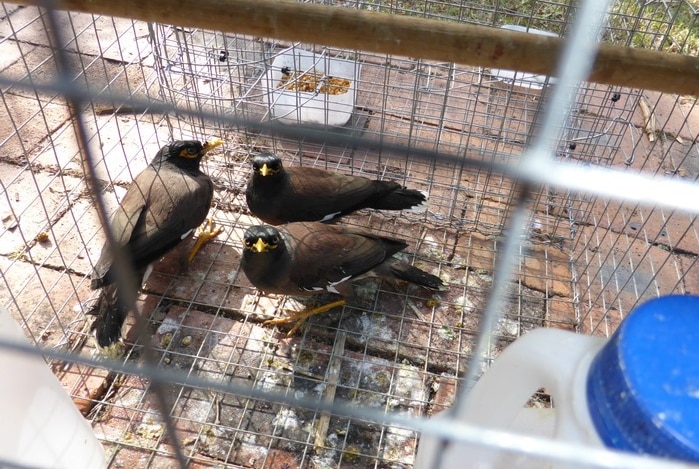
346 389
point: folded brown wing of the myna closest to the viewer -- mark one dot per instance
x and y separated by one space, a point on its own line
325 255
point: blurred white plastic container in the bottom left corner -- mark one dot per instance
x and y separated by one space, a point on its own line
41 427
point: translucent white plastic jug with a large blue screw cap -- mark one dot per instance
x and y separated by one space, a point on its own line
638 391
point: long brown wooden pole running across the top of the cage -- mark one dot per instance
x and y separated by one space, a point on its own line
401 35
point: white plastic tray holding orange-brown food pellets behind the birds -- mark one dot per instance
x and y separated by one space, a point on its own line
302 107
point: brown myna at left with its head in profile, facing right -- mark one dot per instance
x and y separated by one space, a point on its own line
163 206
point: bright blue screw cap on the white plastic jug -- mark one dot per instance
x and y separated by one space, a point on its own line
643 386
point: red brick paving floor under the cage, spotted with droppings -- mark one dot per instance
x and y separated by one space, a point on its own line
403 346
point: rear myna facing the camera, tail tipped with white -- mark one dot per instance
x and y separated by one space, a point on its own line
278 195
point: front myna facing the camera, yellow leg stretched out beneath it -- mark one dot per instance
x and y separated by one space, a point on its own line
307 258
